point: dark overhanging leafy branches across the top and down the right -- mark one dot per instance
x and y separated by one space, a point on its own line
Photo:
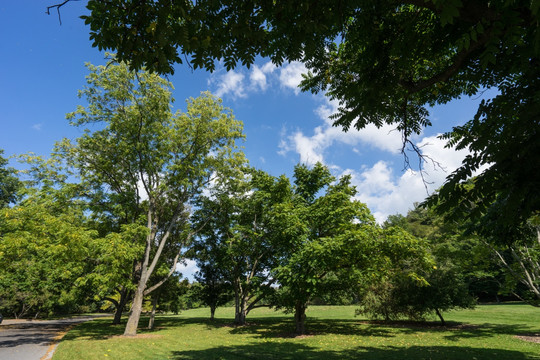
384 61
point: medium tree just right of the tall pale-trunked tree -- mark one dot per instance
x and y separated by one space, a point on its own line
238 243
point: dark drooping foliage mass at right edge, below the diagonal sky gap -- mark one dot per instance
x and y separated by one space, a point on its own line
503 139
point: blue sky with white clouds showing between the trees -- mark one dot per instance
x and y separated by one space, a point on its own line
42 67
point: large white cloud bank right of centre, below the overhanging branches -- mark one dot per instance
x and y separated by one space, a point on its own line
383 189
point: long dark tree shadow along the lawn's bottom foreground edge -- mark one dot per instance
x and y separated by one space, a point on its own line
300 351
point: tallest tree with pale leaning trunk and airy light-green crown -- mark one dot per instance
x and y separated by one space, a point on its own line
147 163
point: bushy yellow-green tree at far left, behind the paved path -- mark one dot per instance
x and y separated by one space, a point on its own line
44 245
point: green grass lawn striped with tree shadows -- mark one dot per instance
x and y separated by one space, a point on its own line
488 332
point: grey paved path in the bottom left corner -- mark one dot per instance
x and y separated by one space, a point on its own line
33 339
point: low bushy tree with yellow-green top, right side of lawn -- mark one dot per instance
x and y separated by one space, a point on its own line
409 287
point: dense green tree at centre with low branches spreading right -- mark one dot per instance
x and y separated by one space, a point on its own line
341 249
